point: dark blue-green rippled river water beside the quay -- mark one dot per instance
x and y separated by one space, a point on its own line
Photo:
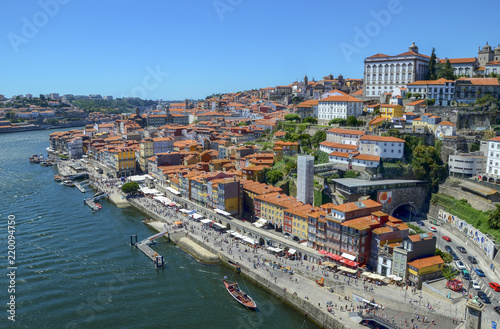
76 269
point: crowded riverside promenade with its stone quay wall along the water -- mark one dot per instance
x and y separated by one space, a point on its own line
327 309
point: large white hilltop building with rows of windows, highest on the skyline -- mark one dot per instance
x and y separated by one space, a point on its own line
384 73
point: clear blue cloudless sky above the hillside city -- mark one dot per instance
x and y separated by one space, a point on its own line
190 49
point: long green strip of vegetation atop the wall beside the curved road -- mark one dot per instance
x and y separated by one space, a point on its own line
464 211
